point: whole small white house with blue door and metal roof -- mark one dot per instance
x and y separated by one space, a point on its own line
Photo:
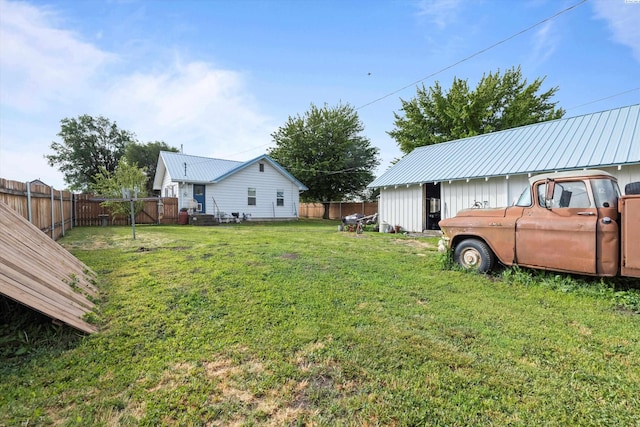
259 188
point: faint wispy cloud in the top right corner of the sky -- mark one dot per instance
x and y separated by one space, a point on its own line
623 20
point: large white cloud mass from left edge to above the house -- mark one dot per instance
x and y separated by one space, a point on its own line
49 73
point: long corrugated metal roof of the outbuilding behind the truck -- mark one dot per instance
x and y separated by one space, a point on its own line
607 138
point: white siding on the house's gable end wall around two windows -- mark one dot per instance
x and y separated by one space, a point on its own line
231 194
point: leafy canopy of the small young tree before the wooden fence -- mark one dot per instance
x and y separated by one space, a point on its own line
110 185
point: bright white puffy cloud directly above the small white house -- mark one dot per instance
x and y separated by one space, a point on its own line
208 110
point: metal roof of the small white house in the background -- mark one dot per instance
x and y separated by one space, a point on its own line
203 170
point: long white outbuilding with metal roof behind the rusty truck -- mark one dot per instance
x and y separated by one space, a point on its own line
437 181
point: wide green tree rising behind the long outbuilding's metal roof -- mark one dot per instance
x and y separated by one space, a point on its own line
499 101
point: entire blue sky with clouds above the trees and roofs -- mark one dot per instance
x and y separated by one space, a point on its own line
218 77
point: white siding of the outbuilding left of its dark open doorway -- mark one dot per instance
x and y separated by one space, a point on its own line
402 206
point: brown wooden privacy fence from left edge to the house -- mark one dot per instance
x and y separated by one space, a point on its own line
56 211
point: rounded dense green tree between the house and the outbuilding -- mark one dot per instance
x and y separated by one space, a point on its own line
325 149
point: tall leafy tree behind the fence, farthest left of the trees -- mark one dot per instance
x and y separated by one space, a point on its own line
88 145
